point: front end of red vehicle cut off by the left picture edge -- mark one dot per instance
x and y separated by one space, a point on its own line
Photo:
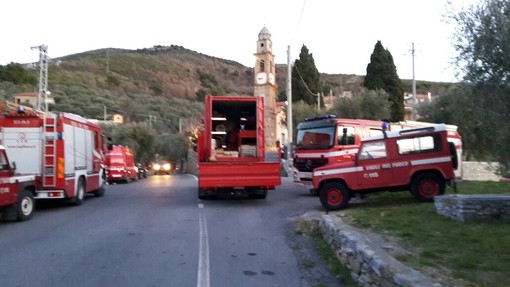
16 191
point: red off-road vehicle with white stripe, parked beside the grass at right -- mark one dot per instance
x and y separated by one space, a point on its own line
418 159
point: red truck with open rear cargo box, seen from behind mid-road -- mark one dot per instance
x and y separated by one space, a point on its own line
232 153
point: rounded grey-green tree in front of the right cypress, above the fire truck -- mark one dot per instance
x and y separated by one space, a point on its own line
368 104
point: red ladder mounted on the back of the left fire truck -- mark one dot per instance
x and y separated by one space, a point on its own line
49 150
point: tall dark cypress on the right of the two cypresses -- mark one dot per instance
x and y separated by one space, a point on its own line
382 74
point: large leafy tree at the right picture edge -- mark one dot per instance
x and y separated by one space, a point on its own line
482 110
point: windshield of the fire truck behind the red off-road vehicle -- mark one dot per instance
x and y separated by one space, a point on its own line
316 138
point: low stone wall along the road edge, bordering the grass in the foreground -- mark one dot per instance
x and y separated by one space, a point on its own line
369 263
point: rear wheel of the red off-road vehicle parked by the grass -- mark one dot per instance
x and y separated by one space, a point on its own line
425 186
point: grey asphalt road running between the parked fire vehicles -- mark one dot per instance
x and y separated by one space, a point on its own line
156 232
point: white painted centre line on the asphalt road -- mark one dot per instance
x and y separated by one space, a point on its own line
203 250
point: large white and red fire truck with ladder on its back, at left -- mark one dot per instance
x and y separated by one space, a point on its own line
63 151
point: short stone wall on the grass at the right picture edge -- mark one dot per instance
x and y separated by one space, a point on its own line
471 207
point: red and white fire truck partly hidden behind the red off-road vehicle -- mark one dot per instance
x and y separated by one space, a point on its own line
327 139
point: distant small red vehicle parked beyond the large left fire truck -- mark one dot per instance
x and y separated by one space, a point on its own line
120 164
